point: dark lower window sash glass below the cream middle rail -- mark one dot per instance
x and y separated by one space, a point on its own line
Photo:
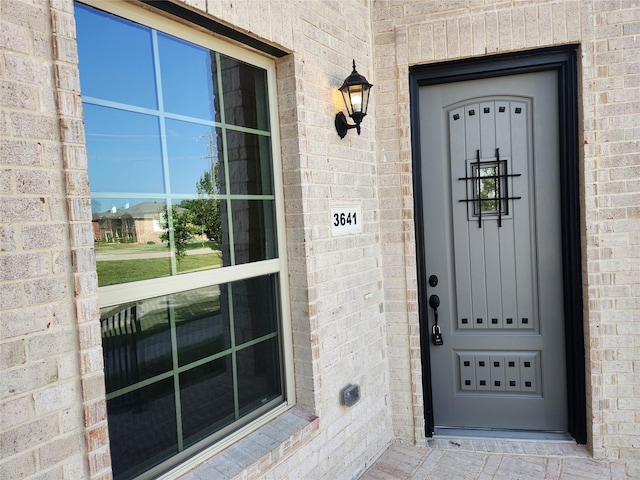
223 377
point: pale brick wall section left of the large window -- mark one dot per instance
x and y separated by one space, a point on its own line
42 422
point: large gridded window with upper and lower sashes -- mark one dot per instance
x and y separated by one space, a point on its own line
184 192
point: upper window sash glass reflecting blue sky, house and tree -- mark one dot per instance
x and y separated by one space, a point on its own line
197 169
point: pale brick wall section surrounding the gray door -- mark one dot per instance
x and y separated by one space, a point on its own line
418 32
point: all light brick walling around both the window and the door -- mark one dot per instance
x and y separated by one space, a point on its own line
353 298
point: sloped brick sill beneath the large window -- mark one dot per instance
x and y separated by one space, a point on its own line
260 450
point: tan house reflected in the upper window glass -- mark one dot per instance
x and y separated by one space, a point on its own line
135 224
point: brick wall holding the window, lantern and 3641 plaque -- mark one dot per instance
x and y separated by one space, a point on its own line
337 296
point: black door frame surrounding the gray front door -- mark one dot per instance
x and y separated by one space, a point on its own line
564 60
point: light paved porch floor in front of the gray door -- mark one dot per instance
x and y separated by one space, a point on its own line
453 458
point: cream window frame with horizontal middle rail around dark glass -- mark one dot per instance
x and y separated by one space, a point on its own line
129 292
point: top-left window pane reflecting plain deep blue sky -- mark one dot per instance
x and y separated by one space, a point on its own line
116 59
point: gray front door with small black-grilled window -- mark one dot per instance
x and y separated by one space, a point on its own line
490 176
